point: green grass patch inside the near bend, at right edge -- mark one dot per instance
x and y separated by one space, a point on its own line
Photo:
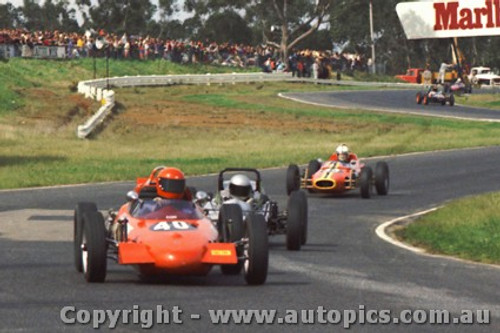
468 228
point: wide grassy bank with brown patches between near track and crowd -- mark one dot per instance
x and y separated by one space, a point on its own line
197 128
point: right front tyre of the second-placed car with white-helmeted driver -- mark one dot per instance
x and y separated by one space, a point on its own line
294 224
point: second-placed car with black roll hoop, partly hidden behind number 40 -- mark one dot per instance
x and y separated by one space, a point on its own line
240 195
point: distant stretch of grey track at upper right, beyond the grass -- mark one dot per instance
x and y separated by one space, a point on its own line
395 101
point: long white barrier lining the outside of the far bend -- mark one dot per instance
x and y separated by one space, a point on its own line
95 89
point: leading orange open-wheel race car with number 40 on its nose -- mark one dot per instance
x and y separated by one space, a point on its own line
158 235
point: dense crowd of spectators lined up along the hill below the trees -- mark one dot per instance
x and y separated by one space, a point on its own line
303 63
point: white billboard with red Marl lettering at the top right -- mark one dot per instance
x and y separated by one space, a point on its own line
445 19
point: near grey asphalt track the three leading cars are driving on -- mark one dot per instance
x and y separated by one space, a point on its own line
344 265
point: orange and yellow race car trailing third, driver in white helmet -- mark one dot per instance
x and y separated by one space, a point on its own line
342 172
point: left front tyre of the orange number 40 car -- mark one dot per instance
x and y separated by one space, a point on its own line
94 249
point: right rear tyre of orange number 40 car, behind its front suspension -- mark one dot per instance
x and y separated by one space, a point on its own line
231 230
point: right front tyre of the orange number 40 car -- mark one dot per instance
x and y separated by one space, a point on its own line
256 250
